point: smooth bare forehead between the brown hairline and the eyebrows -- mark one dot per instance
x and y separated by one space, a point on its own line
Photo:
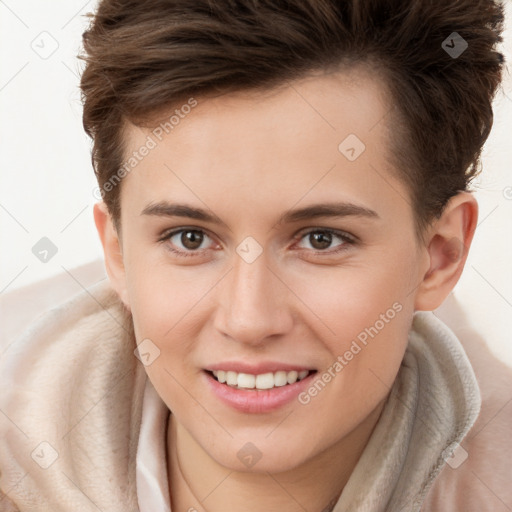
325 135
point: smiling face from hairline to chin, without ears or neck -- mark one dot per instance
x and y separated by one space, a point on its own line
261 238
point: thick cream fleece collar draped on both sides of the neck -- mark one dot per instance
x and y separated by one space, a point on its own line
71 385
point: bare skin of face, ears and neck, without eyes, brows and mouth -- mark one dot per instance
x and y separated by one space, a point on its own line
248 158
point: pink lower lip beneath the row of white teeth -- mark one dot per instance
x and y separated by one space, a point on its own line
257 400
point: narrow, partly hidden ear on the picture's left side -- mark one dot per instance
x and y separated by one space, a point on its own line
112 250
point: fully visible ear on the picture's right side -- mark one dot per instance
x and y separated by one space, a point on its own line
448 243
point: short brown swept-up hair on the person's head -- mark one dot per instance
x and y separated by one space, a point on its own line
145 56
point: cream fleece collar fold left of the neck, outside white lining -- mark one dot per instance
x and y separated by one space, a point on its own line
70 378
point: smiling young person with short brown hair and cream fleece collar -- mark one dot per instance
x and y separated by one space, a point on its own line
285 196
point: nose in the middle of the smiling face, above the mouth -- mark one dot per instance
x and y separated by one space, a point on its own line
252 304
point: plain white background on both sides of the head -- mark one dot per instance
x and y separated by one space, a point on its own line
47 182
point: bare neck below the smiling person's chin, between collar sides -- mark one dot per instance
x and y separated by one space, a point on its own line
198 483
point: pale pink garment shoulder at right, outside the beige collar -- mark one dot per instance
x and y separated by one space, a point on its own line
479 475
